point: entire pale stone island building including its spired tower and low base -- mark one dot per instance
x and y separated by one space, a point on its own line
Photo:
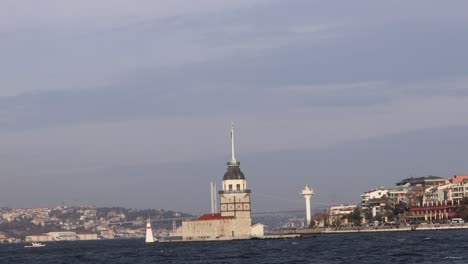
234 221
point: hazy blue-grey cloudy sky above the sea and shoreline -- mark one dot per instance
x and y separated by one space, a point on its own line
129 103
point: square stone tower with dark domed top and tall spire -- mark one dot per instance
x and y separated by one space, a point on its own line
235 197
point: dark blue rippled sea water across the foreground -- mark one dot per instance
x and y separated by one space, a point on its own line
394 247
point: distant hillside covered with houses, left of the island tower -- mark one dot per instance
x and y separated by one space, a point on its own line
18 222
